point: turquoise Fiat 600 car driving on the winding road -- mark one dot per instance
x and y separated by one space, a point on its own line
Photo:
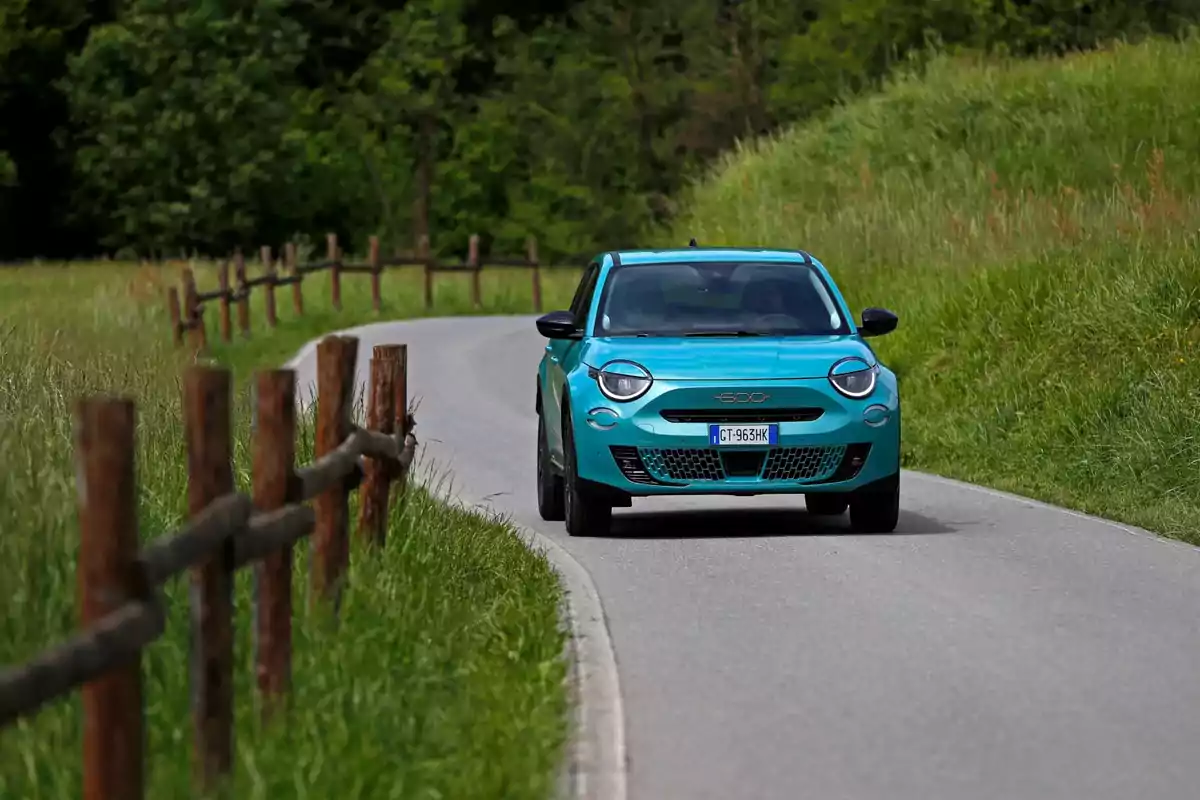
715 371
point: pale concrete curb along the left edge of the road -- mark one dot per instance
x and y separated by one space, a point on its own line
597 761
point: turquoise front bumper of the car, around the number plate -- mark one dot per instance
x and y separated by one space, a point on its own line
661 444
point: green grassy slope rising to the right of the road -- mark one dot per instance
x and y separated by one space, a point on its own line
1036 226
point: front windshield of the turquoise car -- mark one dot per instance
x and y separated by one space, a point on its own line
718 299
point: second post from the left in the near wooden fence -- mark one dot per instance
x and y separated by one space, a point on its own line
207 426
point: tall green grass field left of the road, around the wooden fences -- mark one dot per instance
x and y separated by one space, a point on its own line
446 677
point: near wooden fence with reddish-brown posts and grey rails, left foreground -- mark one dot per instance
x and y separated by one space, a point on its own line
119 585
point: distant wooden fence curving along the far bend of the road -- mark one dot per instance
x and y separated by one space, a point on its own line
187 304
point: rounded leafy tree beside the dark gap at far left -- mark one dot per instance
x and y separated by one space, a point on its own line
185 113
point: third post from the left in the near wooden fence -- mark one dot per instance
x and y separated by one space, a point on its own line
274 465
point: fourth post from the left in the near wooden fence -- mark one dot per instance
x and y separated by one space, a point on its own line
337 358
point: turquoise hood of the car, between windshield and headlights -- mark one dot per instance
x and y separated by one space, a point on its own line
729 358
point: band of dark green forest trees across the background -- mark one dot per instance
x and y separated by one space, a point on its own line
167 125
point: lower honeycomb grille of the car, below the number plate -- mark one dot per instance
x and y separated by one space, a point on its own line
710 465
